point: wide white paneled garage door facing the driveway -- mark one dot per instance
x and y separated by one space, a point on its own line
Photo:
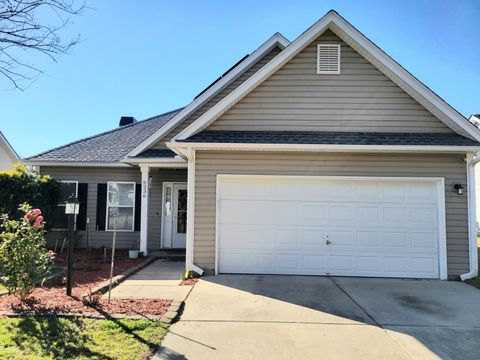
328 226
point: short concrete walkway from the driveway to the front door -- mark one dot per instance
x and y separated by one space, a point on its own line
158 280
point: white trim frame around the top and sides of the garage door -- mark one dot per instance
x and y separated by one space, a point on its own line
440 189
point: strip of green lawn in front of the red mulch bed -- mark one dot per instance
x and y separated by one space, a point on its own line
76 338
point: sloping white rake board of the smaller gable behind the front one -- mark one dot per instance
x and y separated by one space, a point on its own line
276 40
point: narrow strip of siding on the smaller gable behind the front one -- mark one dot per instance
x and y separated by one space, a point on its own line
224 92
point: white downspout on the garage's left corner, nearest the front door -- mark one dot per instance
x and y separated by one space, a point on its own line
191 213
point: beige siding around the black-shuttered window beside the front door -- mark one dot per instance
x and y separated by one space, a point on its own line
94 176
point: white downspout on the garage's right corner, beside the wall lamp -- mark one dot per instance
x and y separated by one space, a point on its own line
472 160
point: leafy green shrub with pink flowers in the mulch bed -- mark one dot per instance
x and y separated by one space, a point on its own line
24 259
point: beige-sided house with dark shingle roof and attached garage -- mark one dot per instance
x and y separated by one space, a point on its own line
320 156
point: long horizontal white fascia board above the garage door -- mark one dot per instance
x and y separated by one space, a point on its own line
180 147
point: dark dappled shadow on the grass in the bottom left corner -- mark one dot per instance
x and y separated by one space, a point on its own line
56 337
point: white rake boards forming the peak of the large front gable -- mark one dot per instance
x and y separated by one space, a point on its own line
332 20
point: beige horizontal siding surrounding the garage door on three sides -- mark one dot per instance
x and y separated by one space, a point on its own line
451 167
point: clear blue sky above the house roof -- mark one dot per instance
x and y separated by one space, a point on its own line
145 58
